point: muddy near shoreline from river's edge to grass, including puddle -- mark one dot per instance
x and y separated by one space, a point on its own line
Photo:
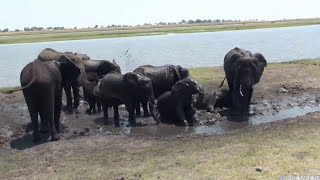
274 99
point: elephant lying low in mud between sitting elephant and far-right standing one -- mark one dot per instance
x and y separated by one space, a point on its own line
209 101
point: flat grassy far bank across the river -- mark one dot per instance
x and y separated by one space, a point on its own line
64 35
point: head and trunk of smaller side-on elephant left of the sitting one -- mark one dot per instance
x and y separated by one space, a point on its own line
142 87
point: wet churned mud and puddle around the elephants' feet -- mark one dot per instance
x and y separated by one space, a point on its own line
15 120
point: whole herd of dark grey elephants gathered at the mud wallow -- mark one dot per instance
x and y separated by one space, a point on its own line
169 87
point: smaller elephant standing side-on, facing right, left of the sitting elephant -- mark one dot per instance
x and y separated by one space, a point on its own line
127 89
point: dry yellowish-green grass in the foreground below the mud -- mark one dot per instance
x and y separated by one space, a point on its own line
279 150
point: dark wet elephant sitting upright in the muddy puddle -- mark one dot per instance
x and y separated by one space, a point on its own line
175 107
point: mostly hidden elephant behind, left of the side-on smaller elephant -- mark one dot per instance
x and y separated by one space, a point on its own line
96 69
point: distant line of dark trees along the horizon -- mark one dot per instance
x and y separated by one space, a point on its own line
197 21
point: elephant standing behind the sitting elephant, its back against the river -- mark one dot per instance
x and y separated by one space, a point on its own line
163 79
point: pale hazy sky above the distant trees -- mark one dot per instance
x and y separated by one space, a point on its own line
16 14
